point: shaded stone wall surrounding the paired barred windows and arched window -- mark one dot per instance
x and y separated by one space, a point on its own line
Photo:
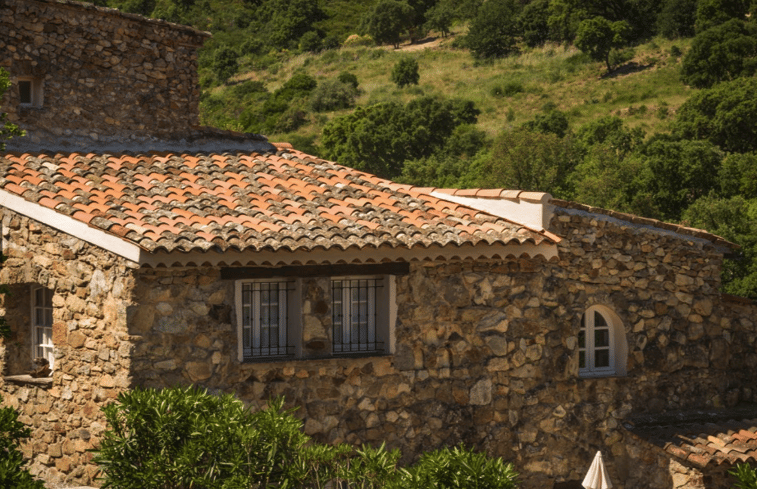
487 353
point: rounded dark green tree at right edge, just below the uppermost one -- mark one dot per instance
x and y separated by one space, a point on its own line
718 114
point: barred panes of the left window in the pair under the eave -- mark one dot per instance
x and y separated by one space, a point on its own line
264 313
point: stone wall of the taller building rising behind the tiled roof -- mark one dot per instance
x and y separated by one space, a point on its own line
100 72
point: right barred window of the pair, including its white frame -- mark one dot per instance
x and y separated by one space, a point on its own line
378 315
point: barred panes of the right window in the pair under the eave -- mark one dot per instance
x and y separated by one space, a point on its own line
354 315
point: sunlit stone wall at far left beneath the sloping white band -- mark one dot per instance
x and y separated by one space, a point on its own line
92 348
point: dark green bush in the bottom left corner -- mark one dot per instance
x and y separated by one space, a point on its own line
13 475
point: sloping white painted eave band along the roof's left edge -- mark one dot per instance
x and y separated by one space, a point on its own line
71 226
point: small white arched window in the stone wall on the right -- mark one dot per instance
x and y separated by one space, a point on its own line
602 349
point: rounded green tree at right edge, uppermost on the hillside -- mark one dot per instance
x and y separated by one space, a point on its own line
722 53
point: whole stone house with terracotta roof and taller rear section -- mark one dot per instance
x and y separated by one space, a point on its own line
144 250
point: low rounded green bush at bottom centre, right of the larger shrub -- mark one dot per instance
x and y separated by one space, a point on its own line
458 468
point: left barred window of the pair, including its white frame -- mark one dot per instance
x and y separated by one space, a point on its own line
251 317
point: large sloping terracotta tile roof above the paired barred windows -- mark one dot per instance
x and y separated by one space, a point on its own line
247 201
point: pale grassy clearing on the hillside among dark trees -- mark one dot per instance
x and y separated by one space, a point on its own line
508 92
